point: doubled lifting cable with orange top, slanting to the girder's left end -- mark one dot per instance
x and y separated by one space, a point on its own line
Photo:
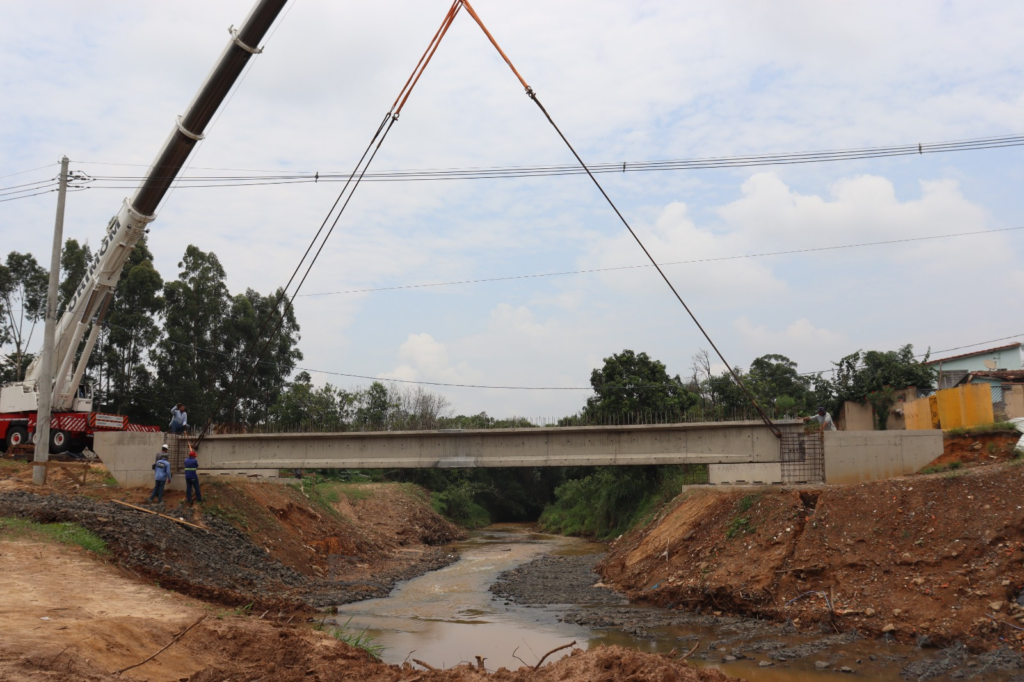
361 169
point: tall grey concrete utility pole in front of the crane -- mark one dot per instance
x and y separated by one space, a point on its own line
45 389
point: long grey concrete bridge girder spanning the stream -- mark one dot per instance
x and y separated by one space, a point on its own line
603 446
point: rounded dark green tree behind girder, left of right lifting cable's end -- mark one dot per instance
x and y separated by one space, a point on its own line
633 388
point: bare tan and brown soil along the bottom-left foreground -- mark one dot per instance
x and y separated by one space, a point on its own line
79 619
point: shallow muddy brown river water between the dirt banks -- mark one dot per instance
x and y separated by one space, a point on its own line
450 617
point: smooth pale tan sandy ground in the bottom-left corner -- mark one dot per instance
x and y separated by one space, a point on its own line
64 615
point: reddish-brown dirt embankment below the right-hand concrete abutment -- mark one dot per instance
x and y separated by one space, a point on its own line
934 559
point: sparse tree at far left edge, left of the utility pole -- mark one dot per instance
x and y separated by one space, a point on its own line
23 303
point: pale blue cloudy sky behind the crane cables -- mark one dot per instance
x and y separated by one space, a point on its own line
627 82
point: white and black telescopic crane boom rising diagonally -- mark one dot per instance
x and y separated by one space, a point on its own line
89 307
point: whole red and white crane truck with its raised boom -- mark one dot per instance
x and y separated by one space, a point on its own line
73 420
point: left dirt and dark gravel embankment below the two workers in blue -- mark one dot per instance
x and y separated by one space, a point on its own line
279 547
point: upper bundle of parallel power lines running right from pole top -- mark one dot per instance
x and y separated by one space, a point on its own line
271 178
